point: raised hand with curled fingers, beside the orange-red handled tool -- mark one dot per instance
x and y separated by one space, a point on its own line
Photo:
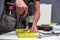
21 7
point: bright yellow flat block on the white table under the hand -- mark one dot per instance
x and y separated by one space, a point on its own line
26 34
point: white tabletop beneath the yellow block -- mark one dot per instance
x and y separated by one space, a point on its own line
12 36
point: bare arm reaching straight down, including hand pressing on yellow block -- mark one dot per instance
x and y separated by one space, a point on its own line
36 16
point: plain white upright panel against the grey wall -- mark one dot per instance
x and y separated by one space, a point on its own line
45 14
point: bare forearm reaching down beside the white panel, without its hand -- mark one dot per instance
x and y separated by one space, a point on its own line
36 13
